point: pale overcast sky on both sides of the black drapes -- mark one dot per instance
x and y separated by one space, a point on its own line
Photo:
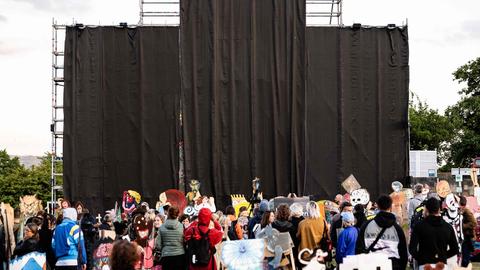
443 35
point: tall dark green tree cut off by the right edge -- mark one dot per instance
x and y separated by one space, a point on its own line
465 115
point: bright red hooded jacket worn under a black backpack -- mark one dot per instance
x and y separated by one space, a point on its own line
214 235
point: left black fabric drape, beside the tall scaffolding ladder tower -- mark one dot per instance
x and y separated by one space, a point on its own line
121 108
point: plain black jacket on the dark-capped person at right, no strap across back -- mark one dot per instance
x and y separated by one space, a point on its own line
433 240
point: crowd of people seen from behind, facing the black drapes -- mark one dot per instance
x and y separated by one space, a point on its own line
148 239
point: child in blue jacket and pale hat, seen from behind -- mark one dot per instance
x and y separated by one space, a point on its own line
348 237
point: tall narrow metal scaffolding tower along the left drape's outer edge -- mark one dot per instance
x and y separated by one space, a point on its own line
56 126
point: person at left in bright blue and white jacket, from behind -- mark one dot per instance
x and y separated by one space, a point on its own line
68 243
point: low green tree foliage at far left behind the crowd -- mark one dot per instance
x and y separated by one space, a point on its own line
17 181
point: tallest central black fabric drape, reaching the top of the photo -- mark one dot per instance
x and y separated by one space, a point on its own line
243 94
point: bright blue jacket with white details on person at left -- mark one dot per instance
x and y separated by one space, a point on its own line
67 239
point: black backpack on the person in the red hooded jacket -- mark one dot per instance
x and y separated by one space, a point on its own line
199 252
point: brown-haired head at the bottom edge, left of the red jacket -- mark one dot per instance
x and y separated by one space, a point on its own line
123 256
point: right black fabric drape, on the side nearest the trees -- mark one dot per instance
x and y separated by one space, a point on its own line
357 108
